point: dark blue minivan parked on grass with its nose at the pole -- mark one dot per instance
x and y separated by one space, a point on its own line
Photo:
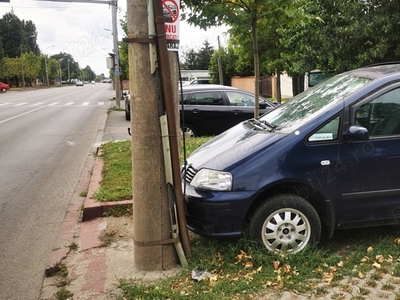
329 157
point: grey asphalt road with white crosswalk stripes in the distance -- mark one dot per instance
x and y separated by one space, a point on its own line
46 137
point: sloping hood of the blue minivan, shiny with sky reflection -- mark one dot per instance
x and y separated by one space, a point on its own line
229 148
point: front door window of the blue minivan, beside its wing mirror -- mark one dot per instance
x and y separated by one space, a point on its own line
381 116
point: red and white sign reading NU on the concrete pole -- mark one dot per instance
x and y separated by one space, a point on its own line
171 8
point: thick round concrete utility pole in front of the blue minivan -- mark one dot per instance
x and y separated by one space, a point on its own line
153 249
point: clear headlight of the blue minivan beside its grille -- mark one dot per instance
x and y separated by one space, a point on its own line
212 180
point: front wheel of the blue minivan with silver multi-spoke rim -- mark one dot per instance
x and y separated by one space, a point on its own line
286 223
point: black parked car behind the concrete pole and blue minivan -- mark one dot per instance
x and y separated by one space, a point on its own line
211 109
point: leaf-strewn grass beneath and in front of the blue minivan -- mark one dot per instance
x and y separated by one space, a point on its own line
243 270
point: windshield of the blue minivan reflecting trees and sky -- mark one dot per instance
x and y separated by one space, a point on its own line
301 109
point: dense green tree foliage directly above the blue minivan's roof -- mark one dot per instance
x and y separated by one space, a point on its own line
346 35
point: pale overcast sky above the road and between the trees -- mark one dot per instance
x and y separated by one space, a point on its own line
84 30
